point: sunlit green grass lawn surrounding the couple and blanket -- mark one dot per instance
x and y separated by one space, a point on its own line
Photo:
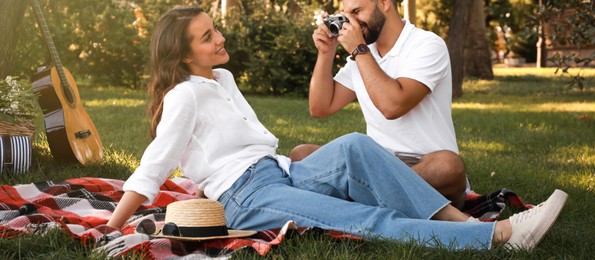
524 130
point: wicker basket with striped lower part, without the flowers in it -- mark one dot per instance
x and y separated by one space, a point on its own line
15 146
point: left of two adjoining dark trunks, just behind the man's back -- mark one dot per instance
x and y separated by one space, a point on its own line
457 32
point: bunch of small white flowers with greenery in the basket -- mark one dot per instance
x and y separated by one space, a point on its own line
17 101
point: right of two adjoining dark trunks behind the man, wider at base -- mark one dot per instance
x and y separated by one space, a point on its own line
477 61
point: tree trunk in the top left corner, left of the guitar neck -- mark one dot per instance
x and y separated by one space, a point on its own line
11 16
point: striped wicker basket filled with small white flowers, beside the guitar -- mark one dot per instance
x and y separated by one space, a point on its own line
19 110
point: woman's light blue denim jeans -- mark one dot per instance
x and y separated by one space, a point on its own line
352 185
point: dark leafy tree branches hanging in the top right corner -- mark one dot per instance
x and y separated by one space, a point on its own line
573 24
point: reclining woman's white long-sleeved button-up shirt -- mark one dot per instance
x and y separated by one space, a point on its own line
198 133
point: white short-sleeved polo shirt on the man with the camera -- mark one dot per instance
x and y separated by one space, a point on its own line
422 56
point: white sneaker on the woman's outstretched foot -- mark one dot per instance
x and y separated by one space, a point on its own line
530 226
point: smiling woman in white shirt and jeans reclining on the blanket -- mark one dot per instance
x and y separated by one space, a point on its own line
203 125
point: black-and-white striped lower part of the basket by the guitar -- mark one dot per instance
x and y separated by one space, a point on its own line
15 154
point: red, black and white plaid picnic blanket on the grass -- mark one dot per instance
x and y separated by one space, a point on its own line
82 207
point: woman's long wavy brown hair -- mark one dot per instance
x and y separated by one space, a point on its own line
170 44
